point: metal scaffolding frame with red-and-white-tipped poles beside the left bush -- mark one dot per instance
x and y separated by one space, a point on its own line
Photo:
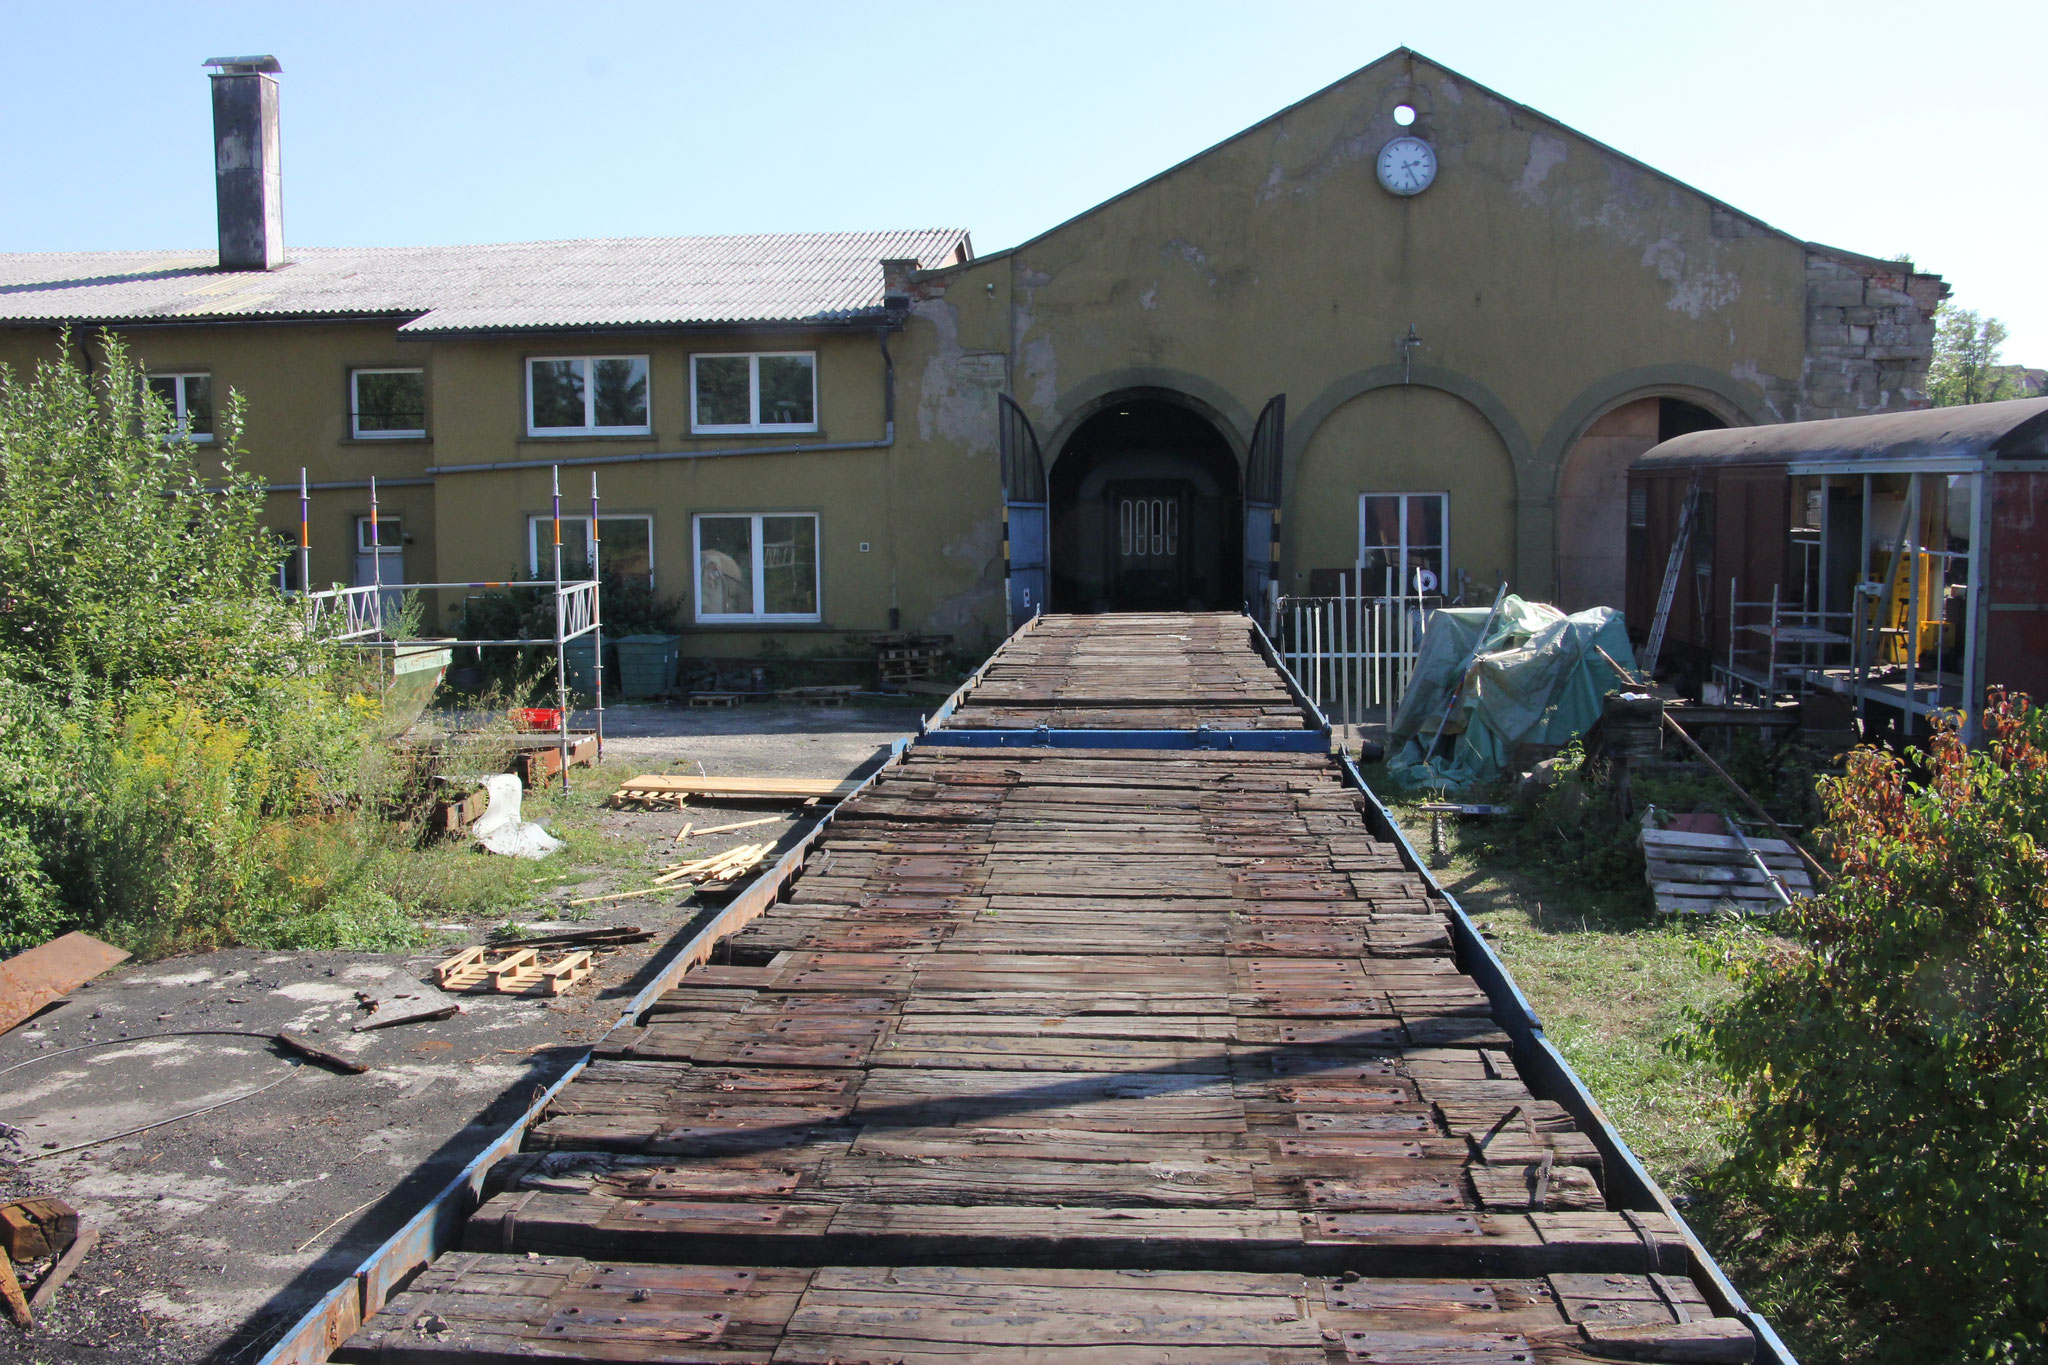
361 611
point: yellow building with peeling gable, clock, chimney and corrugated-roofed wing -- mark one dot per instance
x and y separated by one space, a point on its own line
1457 318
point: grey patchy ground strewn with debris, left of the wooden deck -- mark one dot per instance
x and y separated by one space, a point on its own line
222 1229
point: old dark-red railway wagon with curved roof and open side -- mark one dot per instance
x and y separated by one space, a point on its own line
1900 562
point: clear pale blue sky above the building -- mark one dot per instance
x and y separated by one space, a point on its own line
1879 128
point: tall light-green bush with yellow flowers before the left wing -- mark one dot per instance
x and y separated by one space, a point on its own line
173 738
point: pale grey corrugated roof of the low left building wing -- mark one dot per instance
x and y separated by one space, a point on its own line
501 288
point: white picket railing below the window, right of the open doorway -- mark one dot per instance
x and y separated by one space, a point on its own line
1355 654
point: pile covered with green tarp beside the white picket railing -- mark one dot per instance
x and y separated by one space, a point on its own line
1492 680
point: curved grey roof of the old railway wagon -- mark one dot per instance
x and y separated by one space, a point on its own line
2016 431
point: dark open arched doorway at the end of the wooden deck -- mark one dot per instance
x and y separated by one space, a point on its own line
1146 513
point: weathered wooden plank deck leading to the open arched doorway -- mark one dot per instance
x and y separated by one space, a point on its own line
1068 1055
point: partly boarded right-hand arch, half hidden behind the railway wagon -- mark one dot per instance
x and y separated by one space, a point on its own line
1592 496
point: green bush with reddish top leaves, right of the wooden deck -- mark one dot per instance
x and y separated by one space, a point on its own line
1891 1049
